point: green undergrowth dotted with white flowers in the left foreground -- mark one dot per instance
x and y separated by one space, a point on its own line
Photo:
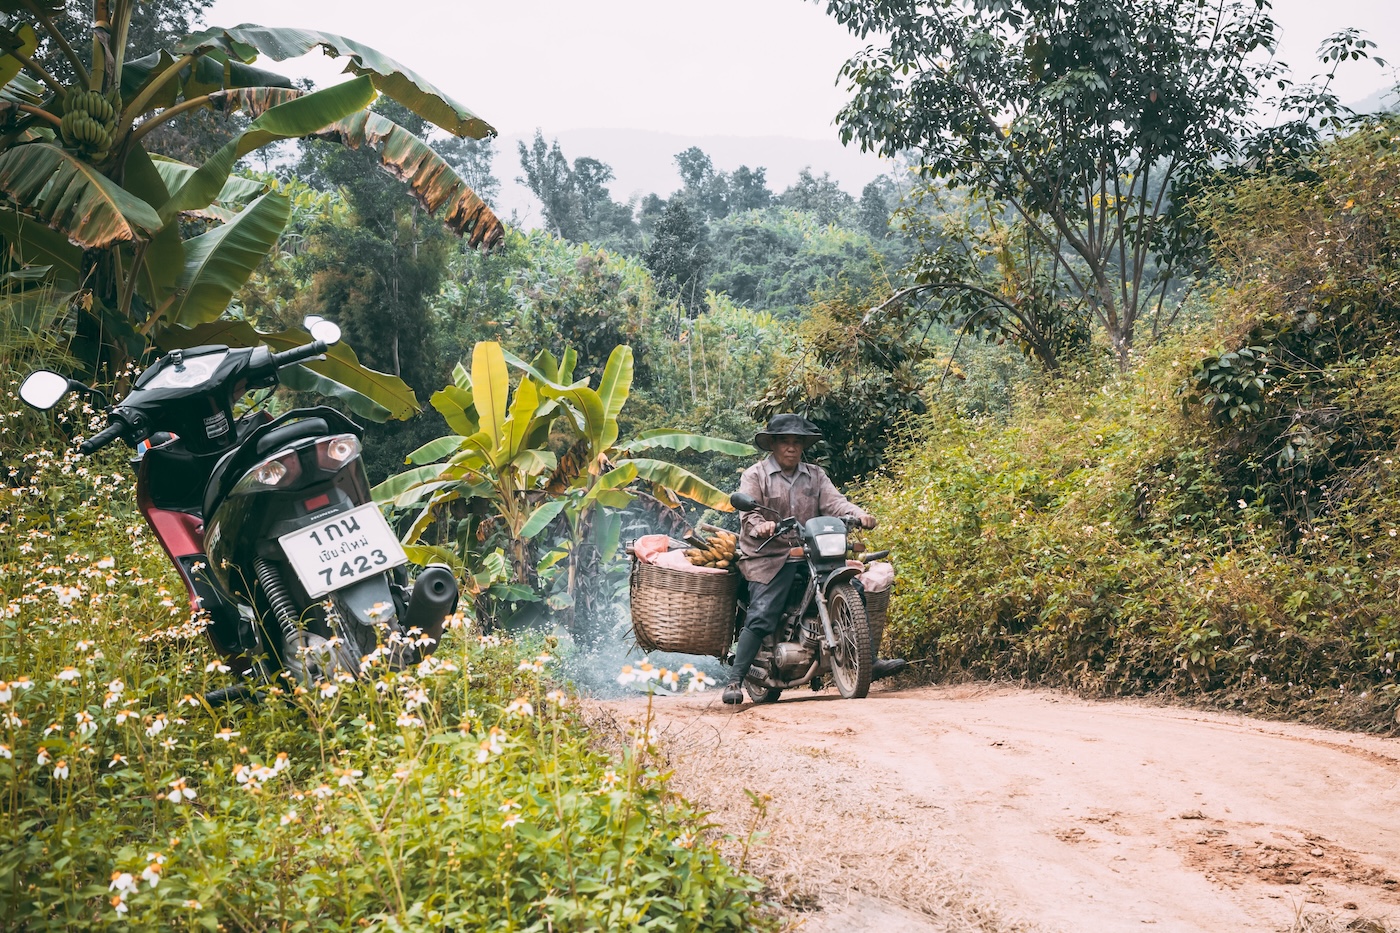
463 795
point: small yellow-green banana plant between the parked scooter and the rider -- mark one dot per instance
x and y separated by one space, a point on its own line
500 453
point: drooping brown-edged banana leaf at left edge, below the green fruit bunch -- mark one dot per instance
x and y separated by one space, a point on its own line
73 198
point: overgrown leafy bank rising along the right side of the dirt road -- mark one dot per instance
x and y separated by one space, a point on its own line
1220 520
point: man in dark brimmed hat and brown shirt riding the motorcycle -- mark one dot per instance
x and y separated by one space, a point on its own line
786 488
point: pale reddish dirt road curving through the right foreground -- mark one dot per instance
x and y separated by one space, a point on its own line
996 809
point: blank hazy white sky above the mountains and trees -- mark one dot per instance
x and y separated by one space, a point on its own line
734 68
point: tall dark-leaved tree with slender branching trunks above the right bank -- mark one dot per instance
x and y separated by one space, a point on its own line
1083 117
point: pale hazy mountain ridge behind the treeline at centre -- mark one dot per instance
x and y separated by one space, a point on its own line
643 163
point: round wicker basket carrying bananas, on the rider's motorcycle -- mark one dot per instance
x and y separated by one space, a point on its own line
684 613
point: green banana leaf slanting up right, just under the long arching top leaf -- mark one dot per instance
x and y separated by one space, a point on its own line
295 118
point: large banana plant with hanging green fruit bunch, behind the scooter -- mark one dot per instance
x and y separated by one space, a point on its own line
90 205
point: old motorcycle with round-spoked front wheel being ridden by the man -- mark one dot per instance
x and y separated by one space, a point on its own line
824 628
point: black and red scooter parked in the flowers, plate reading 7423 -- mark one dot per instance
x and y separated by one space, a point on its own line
269 522
